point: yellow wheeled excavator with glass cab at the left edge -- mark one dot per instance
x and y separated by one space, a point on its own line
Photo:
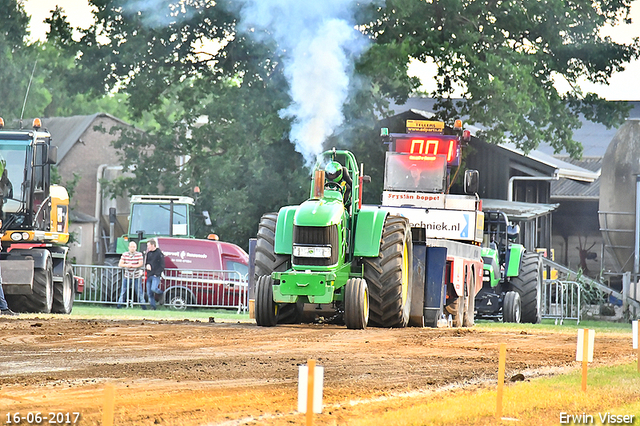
37 275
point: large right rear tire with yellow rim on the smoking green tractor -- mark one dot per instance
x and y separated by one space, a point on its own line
389 275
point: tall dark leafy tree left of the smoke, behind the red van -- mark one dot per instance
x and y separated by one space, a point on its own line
240 158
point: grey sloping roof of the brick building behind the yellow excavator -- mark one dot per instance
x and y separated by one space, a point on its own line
66 131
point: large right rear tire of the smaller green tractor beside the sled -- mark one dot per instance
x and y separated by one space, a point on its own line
529 284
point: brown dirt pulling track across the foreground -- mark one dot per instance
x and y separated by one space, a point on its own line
193 373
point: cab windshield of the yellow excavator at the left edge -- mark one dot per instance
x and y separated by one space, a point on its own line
12 184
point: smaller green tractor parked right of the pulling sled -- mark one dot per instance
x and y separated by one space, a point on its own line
512 277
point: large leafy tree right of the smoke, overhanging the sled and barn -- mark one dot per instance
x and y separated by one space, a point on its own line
506 56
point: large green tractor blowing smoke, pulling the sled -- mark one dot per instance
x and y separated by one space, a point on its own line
331 257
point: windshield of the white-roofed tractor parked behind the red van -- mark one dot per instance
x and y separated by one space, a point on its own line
153 219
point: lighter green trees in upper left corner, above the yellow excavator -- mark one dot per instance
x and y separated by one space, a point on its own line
42 76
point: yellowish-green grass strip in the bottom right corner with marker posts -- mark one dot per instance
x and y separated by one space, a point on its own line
613 391
